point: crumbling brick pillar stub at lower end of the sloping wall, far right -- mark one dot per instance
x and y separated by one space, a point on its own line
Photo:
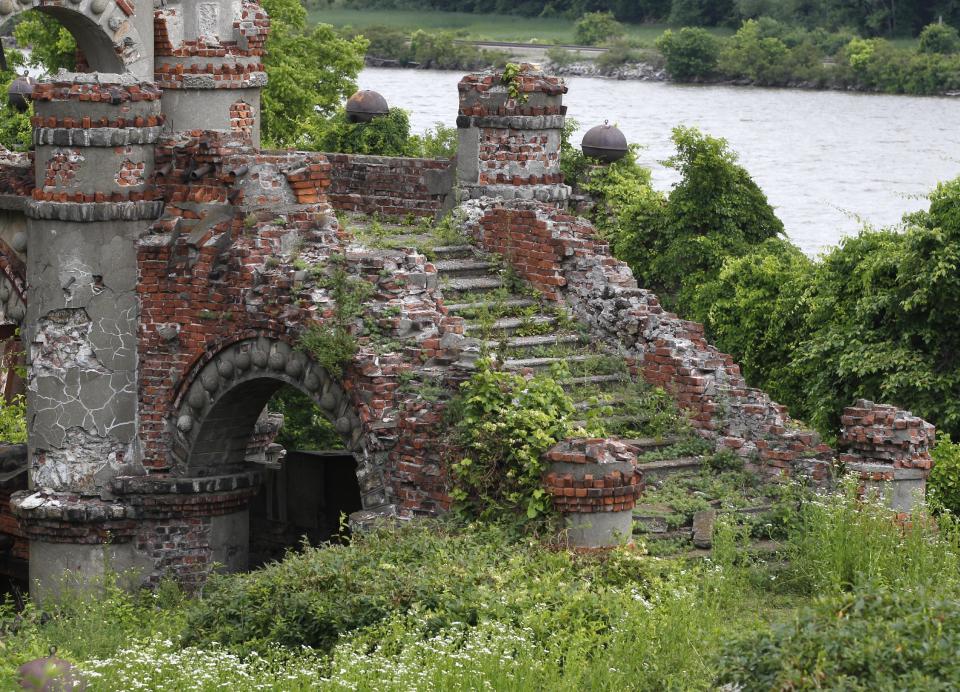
887 447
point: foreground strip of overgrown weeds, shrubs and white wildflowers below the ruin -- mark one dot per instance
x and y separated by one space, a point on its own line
854 600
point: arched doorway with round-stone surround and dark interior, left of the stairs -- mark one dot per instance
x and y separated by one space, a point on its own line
223 427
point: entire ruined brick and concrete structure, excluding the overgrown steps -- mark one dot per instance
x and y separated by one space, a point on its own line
158 263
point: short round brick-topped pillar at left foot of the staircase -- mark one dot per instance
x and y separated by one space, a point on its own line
594 484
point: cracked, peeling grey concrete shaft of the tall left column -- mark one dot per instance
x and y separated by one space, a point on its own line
81 336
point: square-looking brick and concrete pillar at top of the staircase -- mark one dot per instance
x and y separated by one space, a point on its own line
509 136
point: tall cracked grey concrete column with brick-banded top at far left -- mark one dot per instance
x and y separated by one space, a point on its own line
94 136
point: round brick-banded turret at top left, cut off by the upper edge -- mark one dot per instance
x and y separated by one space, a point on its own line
209 63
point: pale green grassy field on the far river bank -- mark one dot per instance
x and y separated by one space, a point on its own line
488 27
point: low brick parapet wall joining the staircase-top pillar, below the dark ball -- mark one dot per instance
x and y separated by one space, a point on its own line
390 186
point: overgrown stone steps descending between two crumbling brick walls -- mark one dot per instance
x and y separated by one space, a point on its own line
527 334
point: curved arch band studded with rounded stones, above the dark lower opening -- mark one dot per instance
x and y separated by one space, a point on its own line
217 411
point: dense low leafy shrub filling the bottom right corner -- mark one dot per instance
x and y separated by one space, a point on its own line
876 638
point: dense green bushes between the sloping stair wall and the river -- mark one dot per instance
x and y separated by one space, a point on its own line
872 318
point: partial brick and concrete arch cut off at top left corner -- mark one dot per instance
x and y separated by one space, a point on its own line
104 31
